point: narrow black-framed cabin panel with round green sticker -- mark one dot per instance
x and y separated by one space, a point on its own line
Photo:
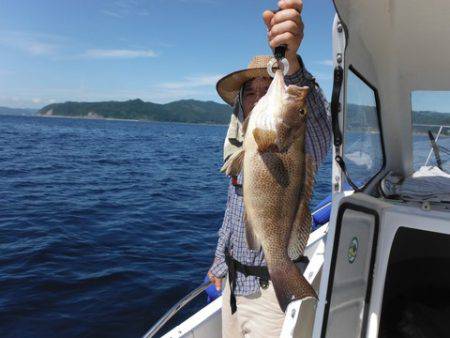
350 281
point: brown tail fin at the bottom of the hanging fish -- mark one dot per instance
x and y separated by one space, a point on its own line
289 284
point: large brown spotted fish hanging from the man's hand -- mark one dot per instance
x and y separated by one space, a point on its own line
278 178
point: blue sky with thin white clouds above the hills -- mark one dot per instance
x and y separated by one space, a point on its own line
156 50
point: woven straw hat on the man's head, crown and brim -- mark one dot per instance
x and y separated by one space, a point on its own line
228 87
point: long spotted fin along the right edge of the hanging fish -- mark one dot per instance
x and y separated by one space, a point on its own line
302 223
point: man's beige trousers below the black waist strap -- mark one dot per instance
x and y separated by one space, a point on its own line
257 315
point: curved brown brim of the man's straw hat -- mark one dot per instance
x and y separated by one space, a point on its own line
228 87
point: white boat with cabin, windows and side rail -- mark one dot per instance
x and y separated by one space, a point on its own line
381 264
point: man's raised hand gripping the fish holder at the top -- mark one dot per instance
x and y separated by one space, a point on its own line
286 28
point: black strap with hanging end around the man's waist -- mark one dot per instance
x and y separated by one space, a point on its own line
258 271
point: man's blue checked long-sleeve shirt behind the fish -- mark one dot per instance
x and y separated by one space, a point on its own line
232 233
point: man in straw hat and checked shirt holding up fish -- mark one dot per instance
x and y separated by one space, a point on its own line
255 312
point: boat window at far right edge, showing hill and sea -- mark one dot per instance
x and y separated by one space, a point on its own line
431 129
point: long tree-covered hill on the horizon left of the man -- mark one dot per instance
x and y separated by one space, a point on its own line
191 111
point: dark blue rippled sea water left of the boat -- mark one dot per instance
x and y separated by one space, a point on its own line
106 224
